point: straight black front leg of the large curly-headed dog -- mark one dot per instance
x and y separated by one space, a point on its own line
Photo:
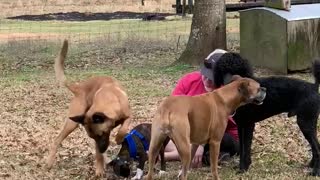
246 134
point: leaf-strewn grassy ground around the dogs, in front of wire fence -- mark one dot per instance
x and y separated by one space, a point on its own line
33 108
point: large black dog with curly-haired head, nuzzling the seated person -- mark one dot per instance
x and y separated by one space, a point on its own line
284 95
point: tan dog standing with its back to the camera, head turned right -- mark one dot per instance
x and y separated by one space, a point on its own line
199 120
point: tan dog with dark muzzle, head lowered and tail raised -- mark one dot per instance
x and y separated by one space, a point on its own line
99 104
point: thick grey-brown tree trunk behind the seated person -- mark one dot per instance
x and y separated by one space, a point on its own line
208 31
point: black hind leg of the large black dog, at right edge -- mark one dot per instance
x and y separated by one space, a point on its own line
308 127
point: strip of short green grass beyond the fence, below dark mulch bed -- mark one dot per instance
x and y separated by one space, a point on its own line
120 28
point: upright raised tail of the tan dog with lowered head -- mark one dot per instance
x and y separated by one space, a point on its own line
59 69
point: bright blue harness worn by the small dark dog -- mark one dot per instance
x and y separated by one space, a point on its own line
132 145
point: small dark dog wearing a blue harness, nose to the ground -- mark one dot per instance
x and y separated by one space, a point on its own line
135 146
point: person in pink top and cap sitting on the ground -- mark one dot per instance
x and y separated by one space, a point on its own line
196 83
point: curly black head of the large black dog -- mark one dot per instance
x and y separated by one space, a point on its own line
231 64
